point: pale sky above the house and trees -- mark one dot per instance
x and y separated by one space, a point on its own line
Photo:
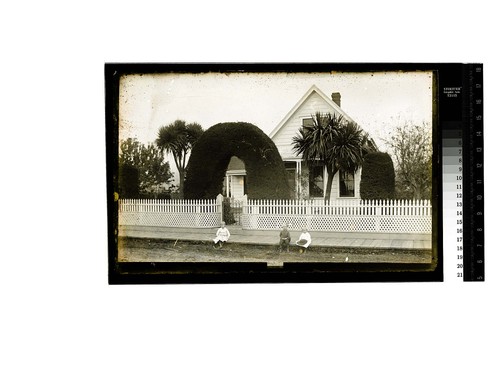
377 101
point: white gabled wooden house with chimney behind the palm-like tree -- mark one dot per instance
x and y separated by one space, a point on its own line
305 183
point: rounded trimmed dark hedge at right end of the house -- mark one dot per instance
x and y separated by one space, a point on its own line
377 177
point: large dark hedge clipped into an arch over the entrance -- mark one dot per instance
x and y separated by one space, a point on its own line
266 174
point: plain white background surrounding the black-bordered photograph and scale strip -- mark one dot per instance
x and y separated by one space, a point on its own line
58 314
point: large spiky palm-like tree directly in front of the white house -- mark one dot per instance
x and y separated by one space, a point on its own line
340 144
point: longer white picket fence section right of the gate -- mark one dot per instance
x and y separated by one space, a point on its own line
383 216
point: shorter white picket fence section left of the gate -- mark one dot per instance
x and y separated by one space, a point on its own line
203 213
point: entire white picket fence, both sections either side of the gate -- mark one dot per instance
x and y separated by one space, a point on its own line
384 216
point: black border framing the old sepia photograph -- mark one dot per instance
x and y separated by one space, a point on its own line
445 74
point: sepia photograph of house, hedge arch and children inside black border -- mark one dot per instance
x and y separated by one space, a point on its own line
235 165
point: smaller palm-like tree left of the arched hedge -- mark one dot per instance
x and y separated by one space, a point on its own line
178 139
